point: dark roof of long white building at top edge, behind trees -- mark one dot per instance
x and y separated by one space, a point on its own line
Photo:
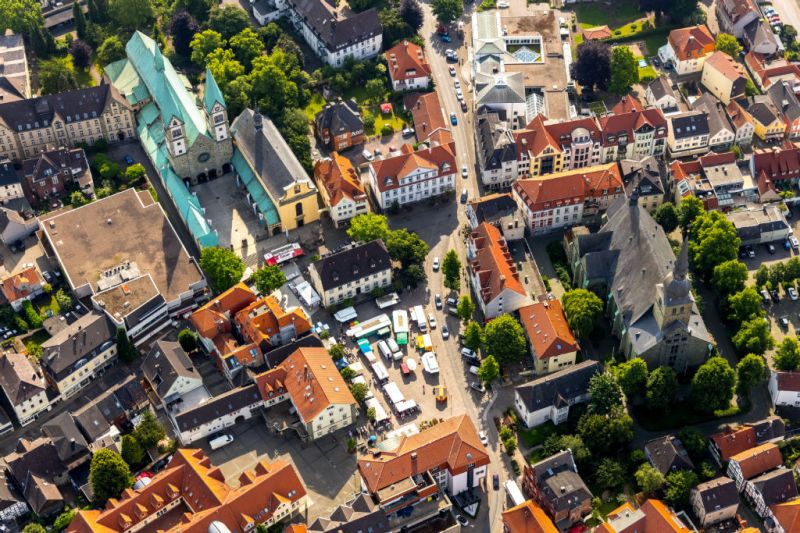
337 33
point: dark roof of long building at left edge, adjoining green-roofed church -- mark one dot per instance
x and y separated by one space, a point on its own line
72 106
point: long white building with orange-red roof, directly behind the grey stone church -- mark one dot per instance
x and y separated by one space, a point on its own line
568 198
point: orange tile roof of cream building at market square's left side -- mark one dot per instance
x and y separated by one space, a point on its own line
311 379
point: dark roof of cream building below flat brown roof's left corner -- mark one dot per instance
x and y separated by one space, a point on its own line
77 344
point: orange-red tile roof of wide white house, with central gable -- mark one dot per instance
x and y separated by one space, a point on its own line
389 171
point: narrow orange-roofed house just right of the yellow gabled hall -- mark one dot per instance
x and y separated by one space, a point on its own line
339 184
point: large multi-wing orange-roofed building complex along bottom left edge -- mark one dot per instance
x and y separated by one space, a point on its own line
270 493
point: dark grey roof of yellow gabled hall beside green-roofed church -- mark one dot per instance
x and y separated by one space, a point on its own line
267 152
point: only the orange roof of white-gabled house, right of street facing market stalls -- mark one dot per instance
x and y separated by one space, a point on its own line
493 263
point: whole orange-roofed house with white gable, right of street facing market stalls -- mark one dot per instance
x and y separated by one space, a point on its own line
493 274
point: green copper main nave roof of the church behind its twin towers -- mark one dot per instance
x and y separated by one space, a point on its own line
164 85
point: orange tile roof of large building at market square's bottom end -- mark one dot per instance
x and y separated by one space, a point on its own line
452 444
